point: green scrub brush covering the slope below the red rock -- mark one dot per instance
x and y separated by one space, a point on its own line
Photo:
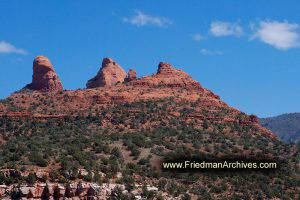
70 144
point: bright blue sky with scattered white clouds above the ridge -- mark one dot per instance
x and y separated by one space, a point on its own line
245 51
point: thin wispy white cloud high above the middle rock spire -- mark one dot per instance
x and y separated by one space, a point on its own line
141 19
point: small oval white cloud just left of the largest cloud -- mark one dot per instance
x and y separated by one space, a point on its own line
220 28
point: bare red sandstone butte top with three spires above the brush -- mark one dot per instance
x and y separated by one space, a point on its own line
103 92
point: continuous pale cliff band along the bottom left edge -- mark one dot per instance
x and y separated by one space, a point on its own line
75 190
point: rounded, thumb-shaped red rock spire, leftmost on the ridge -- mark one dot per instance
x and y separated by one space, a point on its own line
44 77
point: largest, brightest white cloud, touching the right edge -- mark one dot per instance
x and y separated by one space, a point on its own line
281 35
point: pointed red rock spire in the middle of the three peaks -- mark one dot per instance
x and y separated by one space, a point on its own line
109 74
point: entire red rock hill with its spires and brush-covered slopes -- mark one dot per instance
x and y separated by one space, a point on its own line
109 141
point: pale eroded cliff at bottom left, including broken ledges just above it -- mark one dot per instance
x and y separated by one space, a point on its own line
76 189
